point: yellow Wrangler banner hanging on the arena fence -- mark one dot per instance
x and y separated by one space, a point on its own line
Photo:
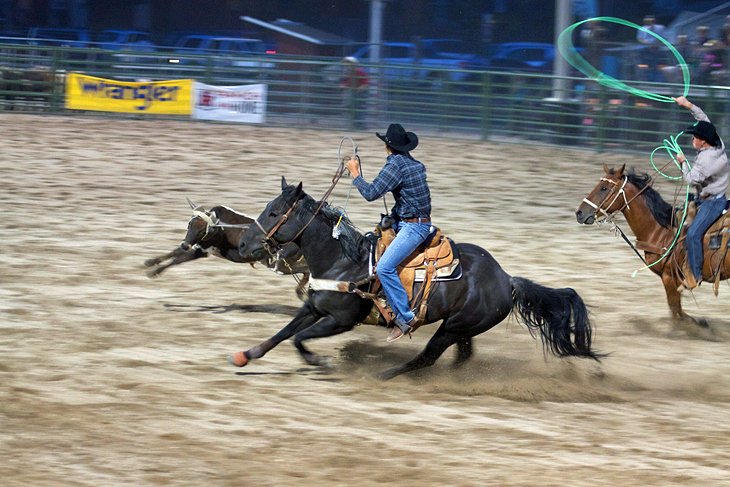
159 97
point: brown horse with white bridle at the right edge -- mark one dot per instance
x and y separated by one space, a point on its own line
655 223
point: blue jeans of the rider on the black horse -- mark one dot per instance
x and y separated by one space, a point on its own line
408 237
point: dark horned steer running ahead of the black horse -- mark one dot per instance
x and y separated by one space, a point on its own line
217 232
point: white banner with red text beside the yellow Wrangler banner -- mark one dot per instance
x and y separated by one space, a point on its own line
246 103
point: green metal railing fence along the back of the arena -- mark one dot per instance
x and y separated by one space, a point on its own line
309 92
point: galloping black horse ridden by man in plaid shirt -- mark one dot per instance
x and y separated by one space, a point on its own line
483 297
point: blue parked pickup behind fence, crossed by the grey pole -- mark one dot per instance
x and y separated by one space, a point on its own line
424 62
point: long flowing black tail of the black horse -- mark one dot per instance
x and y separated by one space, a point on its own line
556 314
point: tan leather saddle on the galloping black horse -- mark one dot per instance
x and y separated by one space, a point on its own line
436 259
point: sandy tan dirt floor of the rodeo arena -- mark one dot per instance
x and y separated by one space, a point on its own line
108 377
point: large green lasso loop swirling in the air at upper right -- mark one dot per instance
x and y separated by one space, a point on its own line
571 55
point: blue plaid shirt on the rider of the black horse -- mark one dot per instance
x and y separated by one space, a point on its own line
406 179
